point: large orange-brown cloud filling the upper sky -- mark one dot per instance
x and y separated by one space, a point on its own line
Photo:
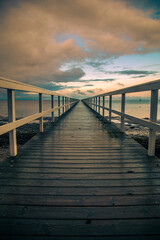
30 52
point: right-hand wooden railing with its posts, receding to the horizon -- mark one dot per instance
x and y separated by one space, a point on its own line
94 103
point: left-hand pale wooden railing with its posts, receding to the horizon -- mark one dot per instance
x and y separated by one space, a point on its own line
64 103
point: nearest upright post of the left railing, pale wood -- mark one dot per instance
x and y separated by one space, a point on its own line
12 118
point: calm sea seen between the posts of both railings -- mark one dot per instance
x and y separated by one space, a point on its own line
136 107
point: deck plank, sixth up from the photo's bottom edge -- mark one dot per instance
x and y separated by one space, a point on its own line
80 182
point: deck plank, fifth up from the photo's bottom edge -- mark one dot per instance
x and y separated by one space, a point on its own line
107 191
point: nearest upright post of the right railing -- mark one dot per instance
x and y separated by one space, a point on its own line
153 118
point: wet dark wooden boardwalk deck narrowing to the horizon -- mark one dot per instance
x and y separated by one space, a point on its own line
80 180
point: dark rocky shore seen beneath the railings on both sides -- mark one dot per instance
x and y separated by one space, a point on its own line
27 131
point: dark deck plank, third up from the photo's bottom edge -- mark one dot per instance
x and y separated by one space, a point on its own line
105 213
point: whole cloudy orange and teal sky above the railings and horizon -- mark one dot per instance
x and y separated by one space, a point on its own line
80 48
